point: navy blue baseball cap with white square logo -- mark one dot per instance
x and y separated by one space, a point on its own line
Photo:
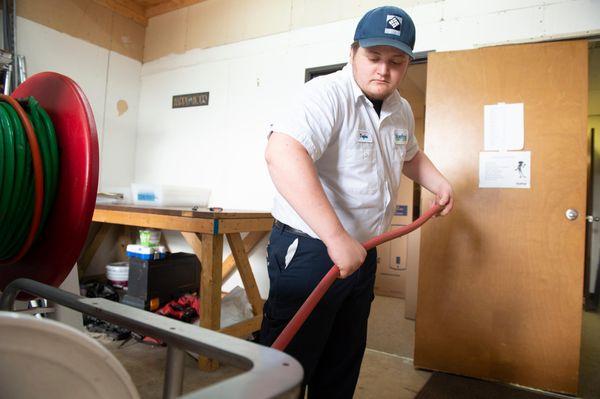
386 26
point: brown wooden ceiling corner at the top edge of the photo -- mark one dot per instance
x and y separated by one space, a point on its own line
141 10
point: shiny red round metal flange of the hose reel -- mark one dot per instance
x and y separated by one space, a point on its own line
52 256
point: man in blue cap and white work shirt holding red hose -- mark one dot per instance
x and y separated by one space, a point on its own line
335 159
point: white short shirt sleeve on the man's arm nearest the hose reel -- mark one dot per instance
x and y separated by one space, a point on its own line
310 117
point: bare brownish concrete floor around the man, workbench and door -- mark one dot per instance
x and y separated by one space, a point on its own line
387 370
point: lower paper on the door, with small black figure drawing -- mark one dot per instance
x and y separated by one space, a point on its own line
505 169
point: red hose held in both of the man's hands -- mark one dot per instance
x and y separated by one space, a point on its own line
302 314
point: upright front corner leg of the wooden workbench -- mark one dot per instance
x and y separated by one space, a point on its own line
210 290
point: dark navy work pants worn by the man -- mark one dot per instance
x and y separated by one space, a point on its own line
331 343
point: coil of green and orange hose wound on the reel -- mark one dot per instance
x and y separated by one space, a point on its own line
29 170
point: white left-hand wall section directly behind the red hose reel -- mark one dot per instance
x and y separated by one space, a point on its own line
105 77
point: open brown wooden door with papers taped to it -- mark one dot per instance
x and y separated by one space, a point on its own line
500 284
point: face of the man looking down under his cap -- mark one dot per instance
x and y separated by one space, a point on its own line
379 70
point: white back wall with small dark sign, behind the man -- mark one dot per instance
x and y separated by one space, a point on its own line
221 146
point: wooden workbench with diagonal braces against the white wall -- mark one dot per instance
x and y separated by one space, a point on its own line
204 231
